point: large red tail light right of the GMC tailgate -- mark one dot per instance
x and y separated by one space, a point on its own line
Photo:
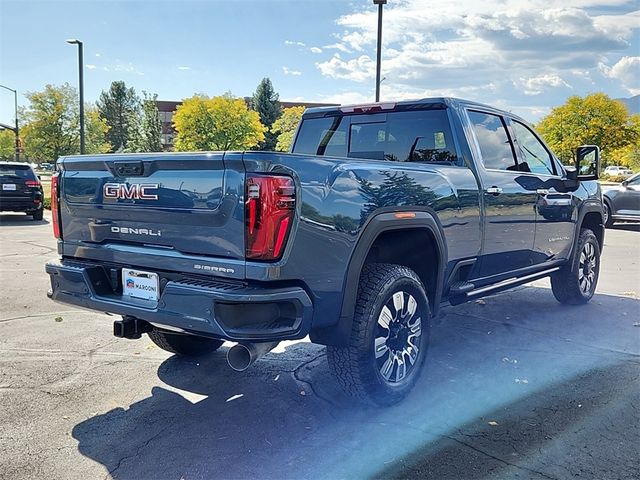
269 211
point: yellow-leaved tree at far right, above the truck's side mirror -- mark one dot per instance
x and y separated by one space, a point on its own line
595 119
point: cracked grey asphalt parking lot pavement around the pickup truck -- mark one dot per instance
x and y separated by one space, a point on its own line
516 386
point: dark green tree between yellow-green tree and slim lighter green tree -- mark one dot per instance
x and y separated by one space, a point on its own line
119 107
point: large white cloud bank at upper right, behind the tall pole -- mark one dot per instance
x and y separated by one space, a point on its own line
462 47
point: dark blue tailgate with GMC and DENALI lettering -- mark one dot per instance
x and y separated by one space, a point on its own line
188 207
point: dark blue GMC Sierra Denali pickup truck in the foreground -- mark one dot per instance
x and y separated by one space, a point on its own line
379 215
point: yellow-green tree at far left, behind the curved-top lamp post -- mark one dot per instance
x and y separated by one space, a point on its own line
52 126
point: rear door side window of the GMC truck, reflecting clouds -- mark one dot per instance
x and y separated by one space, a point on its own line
495 146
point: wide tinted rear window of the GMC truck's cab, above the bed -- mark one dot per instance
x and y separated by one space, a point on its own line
418 136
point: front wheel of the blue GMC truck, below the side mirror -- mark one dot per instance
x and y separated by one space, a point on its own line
575 283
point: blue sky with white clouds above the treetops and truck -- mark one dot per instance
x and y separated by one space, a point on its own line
526 56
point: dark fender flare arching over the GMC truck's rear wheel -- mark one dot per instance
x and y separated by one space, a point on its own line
424 219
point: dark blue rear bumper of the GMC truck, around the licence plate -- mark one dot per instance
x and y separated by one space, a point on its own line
230 311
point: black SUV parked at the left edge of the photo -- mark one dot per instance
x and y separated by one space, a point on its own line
20 189
